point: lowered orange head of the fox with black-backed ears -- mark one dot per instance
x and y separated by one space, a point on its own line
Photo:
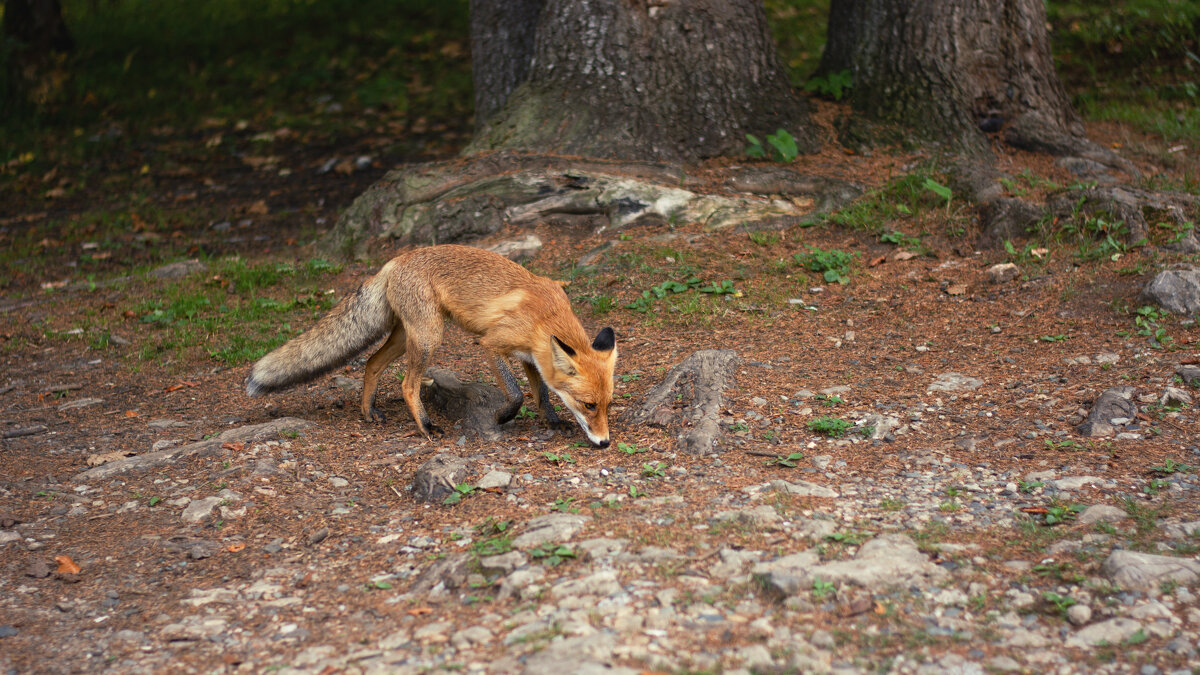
583 379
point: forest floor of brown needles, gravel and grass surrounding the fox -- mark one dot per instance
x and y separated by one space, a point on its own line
953 541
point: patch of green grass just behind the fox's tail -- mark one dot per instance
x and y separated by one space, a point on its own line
237 315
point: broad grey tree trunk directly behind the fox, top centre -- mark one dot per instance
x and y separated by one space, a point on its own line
659 80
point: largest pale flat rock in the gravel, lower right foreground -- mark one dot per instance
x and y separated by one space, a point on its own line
885 561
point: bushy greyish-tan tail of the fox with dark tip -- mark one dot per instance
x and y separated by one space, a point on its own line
350 328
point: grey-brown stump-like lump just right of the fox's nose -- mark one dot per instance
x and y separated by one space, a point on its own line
699 383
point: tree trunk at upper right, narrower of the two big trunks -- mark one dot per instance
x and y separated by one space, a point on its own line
955 71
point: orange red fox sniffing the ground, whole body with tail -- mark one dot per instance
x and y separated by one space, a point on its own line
515 313
